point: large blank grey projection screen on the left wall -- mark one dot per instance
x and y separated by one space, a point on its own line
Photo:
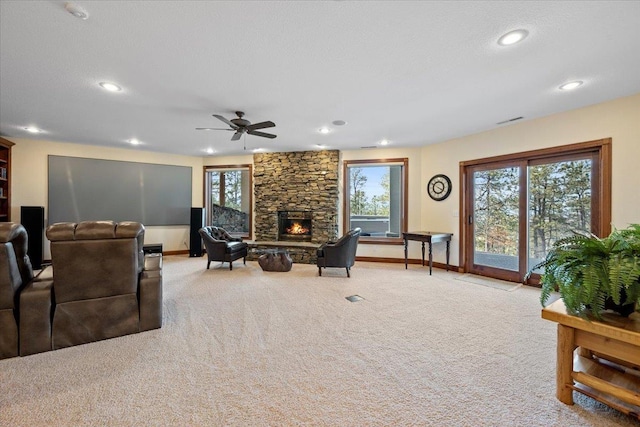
91 189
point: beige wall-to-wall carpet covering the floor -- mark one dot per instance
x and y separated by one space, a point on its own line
253 348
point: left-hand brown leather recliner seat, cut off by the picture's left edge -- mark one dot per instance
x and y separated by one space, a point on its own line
25 301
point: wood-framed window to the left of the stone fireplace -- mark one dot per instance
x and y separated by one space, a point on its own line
228 198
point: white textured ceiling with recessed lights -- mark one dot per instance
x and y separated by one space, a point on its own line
412 72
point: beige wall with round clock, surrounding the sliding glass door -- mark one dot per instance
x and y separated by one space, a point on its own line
618 119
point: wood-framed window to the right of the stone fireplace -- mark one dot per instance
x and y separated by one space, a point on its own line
375 199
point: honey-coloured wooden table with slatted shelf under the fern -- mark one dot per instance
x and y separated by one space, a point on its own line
606 366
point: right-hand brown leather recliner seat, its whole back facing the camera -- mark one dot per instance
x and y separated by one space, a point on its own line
104 285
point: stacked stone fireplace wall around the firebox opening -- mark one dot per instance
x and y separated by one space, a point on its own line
296 181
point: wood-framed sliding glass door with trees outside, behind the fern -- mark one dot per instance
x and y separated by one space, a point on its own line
516 208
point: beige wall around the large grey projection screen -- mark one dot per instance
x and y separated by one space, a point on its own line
29 180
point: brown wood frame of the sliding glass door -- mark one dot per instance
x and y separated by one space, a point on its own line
601 175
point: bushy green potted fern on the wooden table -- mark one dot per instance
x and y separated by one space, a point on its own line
594 274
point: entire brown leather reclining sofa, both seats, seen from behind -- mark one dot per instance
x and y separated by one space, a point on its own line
103 283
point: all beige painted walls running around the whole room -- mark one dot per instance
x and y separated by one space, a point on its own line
618 119
